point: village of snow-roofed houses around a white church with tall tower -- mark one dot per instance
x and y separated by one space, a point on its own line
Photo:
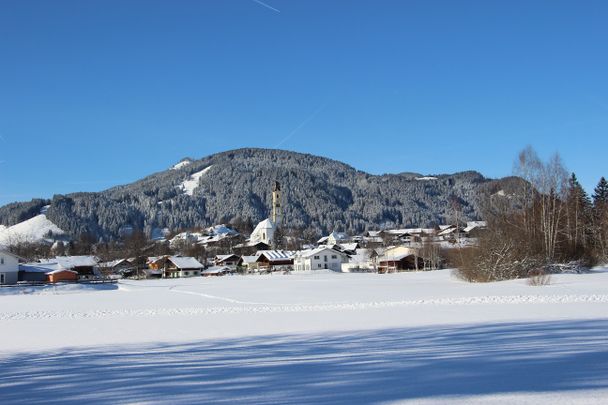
384 251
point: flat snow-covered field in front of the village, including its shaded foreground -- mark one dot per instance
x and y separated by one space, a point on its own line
308 339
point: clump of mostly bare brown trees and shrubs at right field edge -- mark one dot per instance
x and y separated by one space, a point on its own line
547 219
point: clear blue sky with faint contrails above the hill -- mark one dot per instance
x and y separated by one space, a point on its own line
99 93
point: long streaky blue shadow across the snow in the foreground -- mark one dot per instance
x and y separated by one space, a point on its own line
356 367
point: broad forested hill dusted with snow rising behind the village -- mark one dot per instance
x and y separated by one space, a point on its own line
317 192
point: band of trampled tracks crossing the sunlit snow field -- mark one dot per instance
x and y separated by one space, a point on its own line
244 307
